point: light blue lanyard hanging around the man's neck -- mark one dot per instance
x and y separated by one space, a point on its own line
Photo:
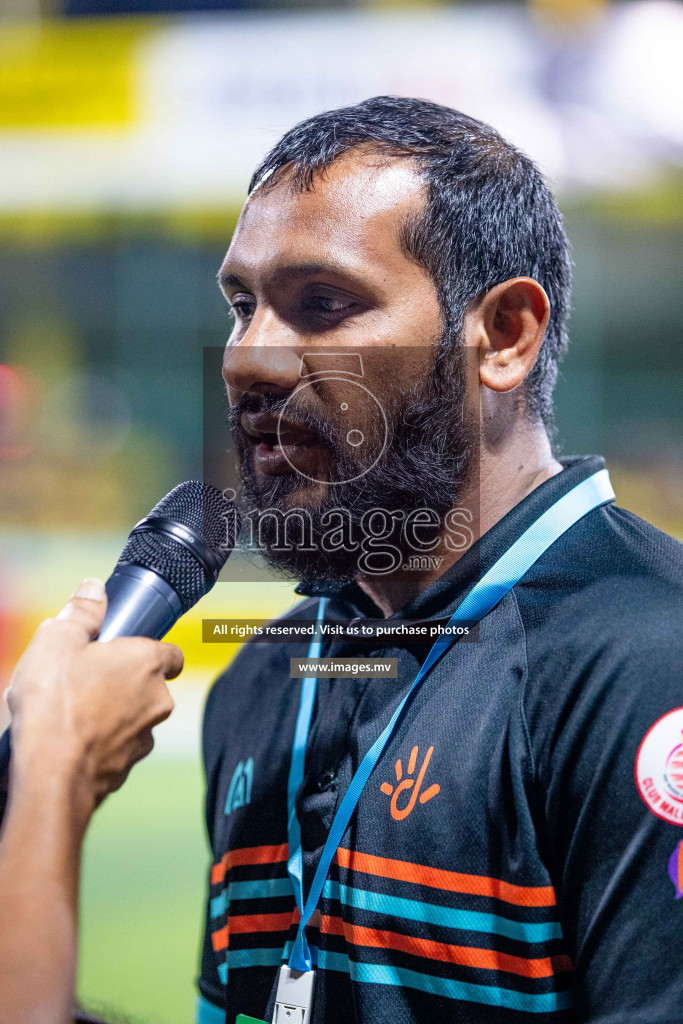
495 584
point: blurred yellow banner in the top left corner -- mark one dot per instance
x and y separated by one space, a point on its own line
66 77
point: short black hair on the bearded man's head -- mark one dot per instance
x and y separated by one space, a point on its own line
490 215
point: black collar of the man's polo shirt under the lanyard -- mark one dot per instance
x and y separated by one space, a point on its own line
349 601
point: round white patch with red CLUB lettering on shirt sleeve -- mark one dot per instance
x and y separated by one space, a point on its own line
660 767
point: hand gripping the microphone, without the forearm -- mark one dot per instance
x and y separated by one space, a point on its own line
83 709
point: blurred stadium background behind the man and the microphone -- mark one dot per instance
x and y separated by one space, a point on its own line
126 145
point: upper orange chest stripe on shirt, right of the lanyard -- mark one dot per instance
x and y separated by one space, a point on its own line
438 878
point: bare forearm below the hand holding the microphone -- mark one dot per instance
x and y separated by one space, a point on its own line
40 852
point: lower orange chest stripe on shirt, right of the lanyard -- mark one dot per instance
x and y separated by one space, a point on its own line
359 935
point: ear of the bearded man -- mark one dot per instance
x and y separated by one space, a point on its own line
510 325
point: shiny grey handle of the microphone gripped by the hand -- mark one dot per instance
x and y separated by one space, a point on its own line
140 605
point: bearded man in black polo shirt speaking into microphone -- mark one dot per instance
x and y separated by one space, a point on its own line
466 841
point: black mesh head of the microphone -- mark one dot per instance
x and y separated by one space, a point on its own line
215 523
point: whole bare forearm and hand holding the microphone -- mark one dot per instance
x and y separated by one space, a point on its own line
82 716
